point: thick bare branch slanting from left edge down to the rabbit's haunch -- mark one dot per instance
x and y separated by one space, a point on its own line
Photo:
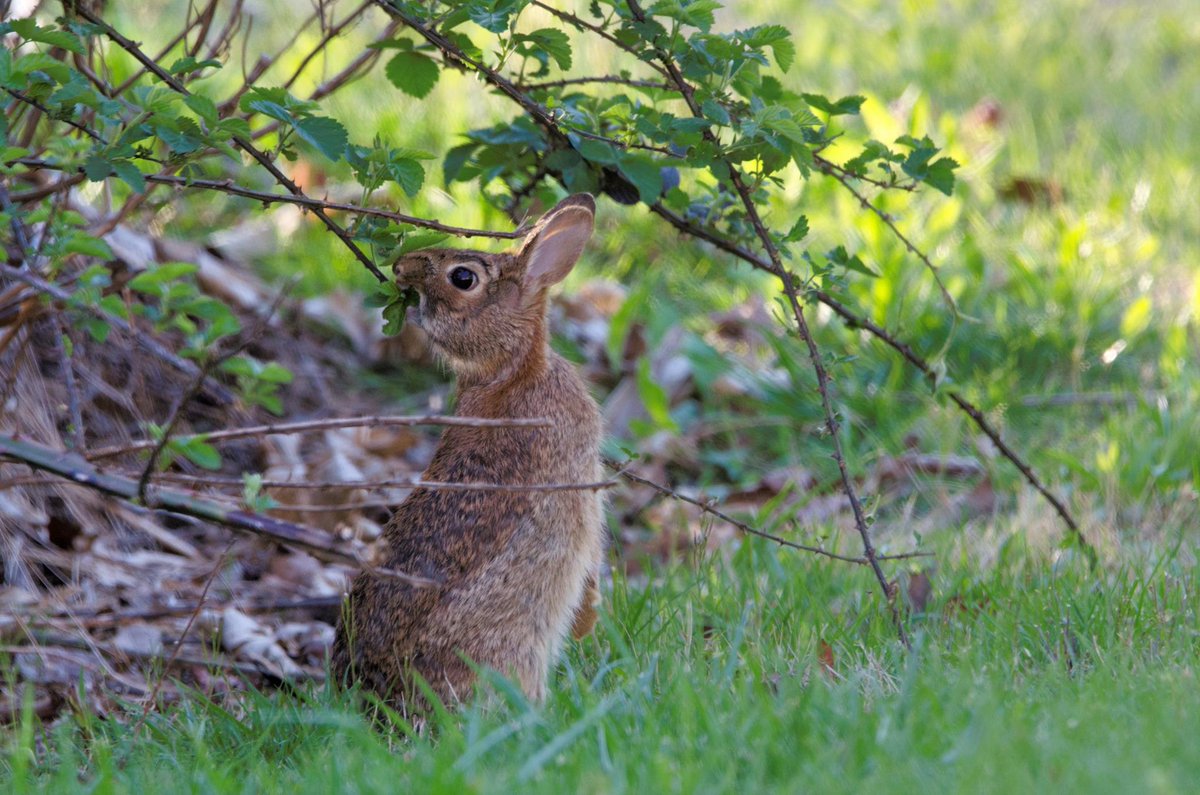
76 470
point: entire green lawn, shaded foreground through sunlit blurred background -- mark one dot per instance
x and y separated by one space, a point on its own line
1029 672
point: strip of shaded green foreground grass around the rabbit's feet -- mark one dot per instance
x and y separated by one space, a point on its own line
1024 679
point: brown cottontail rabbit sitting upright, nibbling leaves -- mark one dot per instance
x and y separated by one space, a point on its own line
517 569
